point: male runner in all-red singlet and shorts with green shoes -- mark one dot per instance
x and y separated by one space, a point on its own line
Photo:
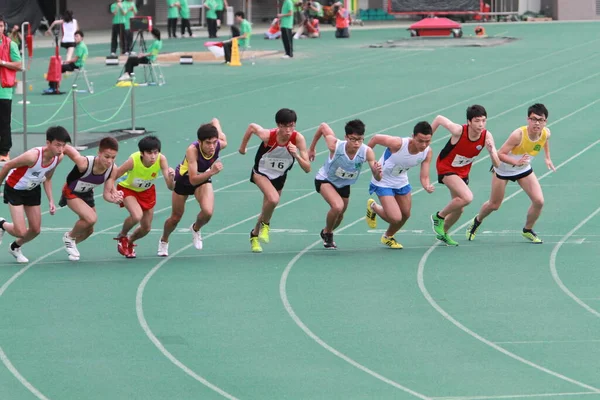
454 164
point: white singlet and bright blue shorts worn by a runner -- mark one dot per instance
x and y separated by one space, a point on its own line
394 176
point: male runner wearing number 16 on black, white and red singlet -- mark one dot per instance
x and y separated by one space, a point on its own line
274 158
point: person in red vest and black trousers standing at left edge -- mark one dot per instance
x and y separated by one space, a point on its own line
12 62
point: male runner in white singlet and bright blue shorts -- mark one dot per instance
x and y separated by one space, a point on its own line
394 190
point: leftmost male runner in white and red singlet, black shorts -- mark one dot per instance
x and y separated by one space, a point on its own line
22 190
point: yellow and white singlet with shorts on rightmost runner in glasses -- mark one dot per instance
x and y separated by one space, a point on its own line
527 146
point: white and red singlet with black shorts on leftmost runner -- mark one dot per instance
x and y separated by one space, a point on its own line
22 187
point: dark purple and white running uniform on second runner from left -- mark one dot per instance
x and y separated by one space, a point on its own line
81 184
